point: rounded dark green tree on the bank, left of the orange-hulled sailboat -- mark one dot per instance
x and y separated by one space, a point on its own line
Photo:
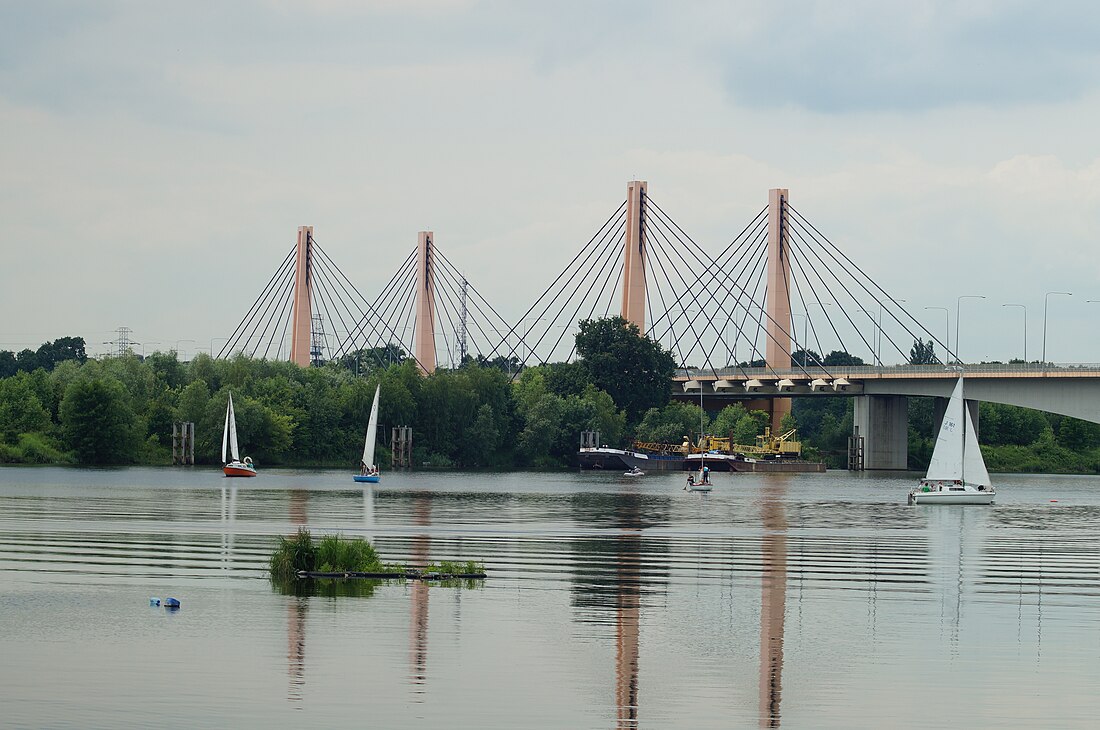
98 423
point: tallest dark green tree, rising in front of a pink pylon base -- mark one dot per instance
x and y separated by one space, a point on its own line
635 371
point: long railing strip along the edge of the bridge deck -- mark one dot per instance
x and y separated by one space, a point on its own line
886 371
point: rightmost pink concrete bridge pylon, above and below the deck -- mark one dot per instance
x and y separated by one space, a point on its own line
778 348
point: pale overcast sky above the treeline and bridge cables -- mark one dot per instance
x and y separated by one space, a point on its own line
158 159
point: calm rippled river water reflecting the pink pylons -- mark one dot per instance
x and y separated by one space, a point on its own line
800 602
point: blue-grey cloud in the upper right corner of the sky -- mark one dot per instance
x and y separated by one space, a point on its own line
839 58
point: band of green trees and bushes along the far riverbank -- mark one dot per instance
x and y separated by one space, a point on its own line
59 406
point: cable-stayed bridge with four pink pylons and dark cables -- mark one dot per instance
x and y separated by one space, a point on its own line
751 323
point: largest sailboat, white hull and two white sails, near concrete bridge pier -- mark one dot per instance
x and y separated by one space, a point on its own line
958 472
